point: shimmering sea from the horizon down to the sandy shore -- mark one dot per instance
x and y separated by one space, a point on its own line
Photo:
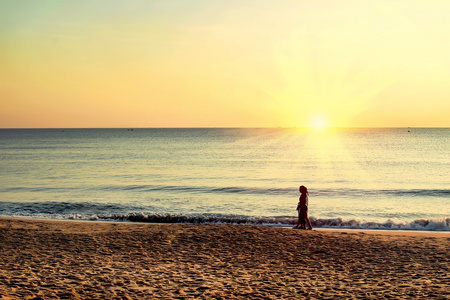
357 178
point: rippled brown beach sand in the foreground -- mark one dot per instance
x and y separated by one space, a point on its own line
95 260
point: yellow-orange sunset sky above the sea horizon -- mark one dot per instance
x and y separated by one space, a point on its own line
227 63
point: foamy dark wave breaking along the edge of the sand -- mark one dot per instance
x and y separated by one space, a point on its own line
136 213
